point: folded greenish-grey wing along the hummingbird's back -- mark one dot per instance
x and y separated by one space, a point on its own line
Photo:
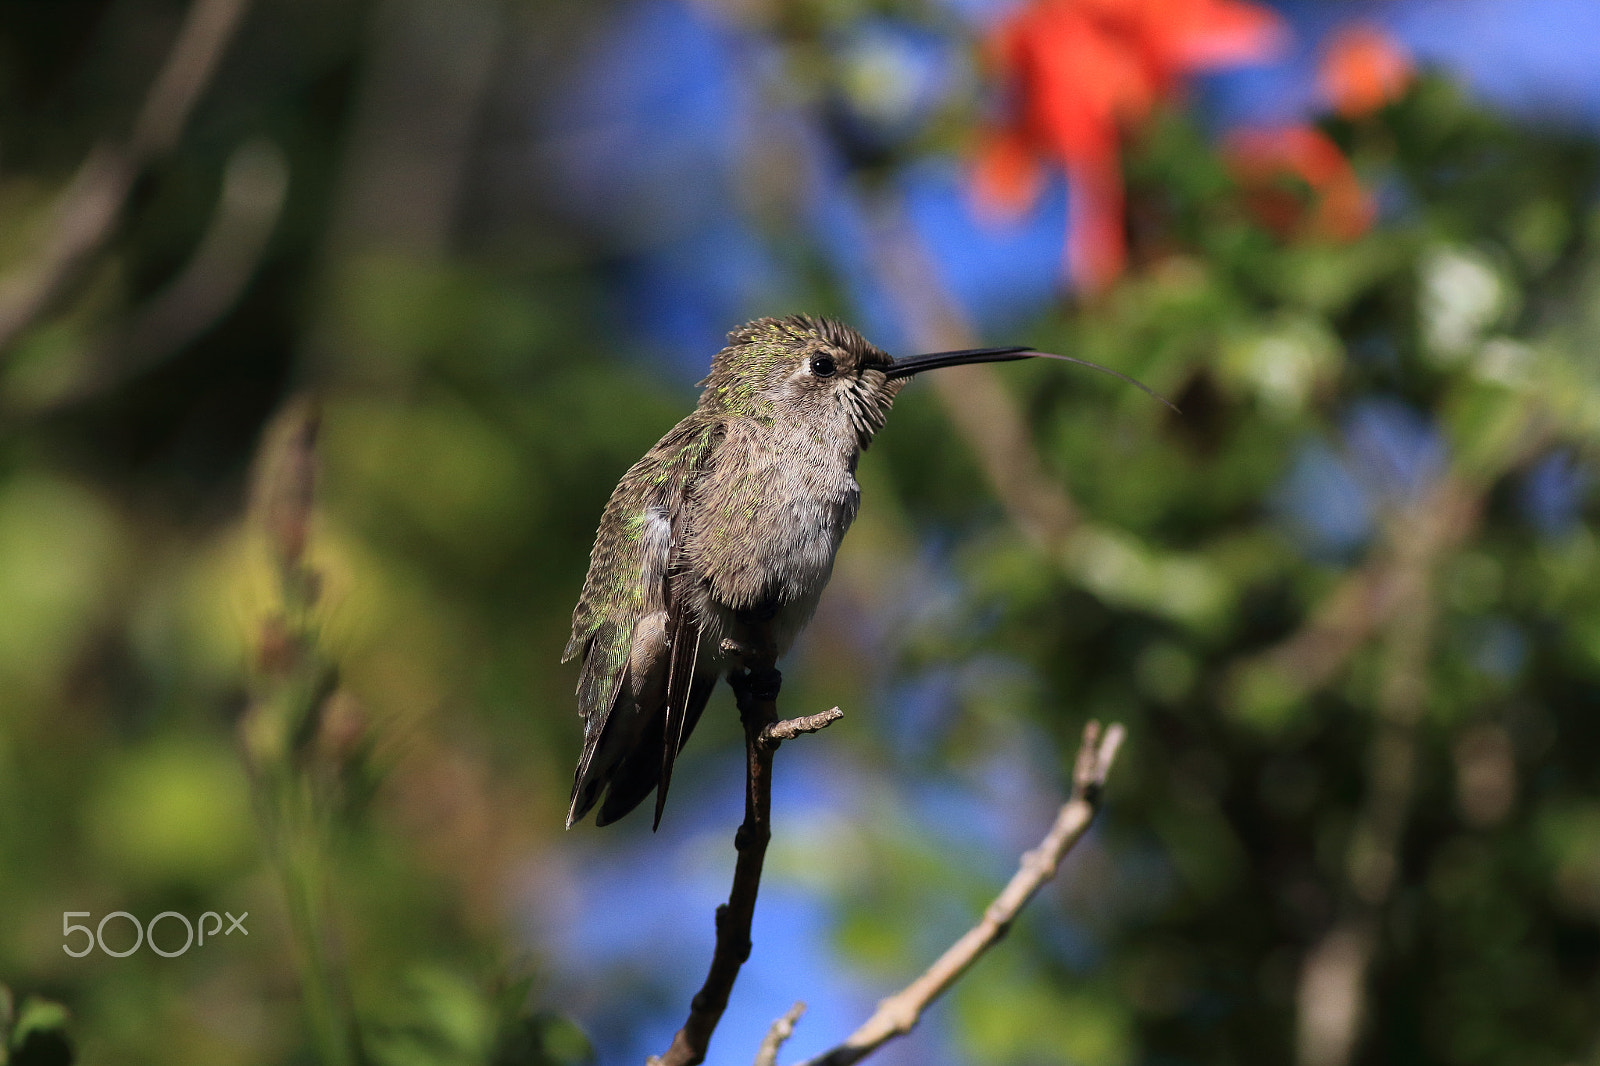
626 607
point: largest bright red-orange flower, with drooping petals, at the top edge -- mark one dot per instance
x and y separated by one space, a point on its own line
1082 71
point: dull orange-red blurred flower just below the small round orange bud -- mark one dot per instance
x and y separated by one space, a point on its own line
1338 206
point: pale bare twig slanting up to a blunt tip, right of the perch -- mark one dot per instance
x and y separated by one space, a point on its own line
902 1012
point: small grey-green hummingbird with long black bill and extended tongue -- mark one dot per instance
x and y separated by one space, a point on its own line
724 537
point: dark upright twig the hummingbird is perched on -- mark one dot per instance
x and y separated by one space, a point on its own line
758 695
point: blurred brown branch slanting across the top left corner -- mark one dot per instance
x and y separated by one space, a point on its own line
94 201
